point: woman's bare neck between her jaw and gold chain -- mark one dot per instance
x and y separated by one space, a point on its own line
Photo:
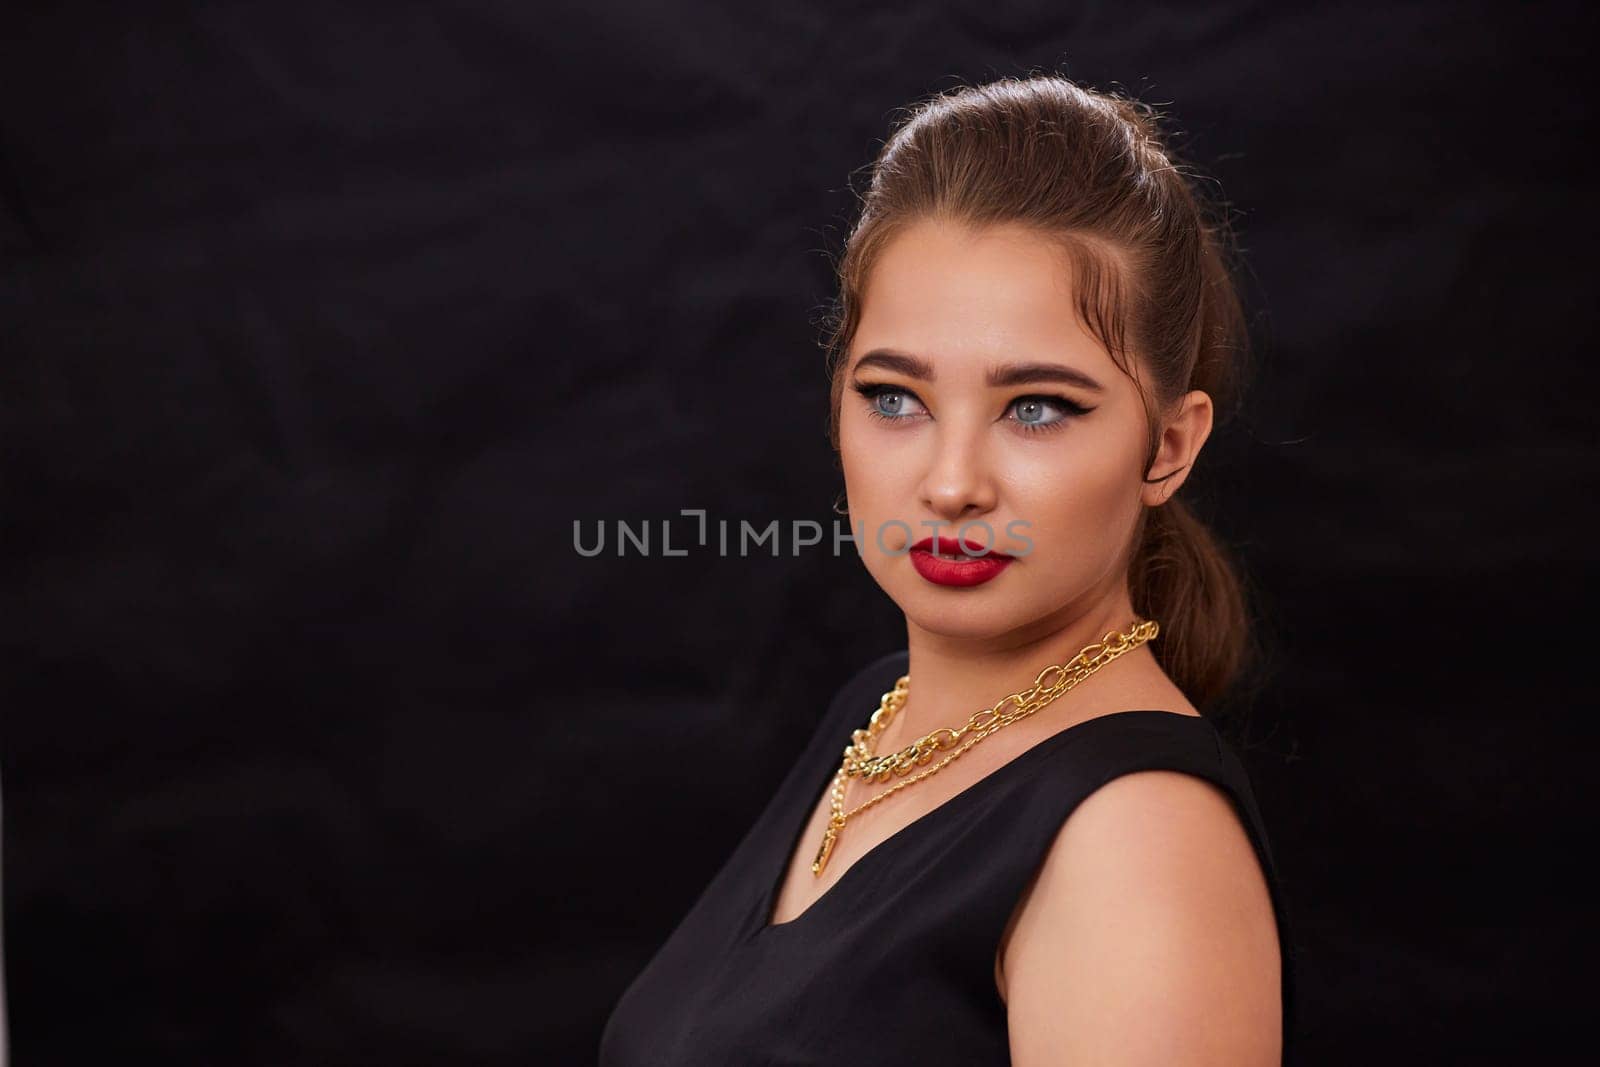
953 677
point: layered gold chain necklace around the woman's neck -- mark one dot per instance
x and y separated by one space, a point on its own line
1052 682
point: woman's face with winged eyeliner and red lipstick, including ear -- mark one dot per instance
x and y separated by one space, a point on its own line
975 396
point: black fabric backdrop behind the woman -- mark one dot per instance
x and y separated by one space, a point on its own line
322 326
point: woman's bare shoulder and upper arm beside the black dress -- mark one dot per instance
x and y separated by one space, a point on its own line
1148 935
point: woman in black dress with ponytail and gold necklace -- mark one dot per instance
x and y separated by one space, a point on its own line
1036 850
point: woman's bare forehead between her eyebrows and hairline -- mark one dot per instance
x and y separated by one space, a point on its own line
969 298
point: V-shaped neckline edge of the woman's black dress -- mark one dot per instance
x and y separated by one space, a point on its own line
774 885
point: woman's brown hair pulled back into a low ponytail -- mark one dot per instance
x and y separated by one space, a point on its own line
1090 172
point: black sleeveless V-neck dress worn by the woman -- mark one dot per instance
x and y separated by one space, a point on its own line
895 962
